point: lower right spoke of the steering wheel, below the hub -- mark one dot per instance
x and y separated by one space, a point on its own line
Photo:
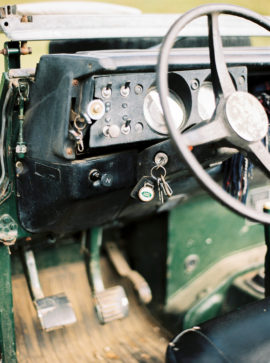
260 155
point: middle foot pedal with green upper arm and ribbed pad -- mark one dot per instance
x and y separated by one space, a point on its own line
110 303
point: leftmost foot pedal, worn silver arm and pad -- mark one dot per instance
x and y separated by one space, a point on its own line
55 311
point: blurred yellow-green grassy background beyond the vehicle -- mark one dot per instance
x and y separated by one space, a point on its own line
147 6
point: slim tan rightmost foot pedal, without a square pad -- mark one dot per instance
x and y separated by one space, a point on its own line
123 269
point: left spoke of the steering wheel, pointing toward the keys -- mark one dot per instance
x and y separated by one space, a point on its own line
204 133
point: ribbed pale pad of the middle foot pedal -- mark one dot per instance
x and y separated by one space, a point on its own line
111 304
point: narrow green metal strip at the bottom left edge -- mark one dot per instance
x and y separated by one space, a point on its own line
7 332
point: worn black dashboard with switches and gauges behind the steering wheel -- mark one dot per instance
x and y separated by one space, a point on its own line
94 125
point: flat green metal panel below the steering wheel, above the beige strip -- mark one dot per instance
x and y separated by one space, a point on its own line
205 228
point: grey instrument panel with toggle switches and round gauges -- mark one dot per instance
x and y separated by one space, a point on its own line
130 110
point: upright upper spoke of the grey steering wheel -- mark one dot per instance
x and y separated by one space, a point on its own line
222 82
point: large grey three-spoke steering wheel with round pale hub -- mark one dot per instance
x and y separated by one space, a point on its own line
239 118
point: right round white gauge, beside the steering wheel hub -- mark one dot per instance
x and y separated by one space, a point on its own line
206 101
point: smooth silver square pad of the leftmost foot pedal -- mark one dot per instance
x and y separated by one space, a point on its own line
55 312
